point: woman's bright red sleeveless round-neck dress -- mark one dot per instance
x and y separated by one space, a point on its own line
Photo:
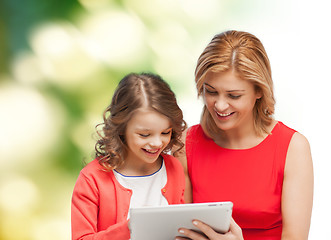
251 178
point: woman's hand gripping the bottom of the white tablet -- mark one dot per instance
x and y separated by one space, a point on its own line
234 232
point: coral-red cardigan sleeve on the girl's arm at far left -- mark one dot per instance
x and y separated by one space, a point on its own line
84 214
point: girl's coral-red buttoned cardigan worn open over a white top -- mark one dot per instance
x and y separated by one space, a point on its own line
100 205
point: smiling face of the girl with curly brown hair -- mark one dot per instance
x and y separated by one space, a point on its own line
147 134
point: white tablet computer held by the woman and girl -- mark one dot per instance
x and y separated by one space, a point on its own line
163 222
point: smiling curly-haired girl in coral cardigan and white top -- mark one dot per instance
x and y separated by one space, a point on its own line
132 167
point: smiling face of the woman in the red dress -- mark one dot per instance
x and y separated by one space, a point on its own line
230 100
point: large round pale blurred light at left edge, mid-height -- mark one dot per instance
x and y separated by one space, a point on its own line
27 119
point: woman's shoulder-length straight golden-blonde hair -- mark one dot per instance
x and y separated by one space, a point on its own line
244 54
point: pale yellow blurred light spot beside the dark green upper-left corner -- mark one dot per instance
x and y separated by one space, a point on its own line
62 54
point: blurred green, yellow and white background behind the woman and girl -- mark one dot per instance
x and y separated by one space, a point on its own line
60 61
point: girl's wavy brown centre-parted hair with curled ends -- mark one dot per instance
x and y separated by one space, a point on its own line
133 92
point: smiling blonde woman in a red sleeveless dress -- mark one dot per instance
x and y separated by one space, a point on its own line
240 153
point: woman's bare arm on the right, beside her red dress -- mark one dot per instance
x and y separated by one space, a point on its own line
297 195
